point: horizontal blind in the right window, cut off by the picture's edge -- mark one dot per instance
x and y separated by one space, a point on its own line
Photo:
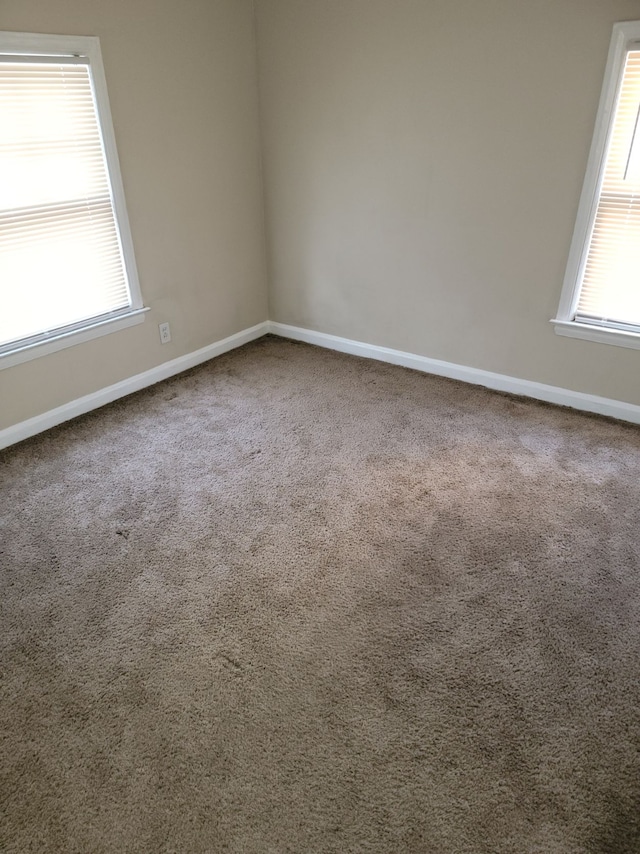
610 286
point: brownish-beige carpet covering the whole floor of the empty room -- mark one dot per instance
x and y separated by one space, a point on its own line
294 601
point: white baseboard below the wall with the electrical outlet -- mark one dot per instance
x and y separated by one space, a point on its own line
26 429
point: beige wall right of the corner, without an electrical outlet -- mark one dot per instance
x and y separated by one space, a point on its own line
423 161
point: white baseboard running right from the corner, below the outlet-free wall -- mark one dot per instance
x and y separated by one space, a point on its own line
498 382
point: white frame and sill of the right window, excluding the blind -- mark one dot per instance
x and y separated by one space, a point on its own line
624 35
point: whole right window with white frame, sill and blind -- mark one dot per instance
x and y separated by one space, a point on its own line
601 293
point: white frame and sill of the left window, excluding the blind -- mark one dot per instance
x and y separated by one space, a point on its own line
88 47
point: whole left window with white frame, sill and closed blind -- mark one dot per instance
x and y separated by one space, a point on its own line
67 270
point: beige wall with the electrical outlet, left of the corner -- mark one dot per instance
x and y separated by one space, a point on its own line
182 86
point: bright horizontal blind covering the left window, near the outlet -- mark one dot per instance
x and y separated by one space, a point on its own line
61 259
